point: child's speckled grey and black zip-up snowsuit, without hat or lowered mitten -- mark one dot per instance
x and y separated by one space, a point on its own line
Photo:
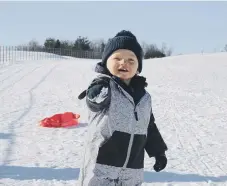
121 128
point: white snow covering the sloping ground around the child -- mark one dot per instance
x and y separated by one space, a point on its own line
189 103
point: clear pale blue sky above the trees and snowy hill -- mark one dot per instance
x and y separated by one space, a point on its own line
187 27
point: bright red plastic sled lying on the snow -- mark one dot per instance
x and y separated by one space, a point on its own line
66 119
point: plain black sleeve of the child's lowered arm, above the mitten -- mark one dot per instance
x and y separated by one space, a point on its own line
155 144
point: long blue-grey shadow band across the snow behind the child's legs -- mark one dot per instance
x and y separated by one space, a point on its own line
46 173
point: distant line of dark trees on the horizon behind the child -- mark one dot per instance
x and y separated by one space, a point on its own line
83 44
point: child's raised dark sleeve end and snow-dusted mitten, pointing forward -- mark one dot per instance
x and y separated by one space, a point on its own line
98 94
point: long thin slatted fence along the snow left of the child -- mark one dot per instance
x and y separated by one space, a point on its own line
11 53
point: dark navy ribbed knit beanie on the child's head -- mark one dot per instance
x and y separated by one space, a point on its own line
123 40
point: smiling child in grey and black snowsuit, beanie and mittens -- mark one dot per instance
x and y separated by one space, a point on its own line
121 123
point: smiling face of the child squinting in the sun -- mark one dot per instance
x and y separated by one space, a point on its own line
123 64
